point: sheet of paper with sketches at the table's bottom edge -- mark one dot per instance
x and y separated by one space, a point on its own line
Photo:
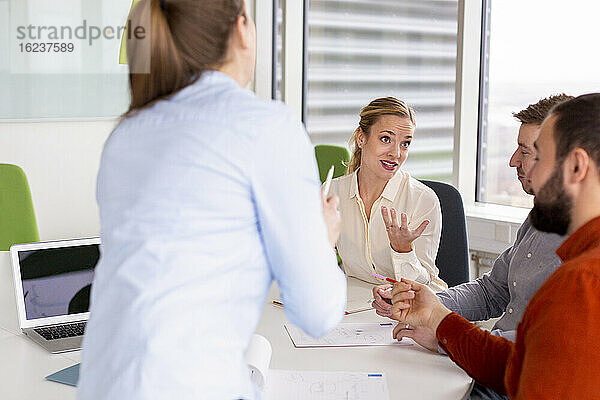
317 385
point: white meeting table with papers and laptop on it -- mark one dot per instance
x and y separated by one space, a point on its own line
411 371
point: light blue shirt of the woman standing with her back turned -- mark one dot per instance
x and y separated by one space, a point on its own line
204 199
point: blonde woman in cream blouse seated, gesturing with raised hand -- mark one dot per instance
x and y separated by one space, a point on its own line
391 223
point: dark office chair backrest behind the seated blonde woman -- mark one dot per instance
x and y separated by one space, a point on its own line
453 254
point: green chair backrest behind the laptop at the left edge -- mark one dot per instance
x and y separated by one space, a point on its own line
17 218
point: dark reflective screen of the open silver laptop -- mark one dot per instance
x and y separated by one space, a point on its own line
57 281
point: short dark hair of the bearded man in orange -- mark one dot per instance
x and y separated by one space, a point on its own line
577 124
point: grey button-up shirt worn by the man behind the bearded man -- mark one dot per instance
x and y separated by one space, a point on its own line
515 276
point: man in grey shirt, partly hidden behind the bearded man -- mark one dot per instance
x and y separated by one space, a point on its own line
516 274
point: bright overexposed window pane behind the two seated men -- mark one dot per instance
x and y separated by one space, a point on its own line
531 50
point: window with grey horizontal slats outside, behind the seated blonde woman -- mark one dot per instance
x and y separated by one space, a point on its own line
359 50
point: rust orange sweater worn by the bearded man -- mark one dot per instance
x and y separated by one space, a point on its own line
557 352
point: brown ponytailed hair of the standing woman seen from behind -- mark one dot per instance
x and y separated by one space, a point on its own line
184 39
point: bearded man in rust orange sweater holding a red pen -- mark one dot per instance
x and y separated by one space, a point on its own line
557 352
